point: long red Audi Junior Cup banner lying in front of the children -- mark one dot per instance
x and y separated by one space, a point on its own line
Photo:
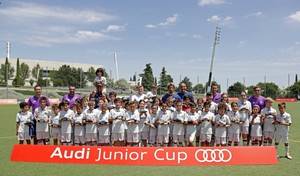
167 156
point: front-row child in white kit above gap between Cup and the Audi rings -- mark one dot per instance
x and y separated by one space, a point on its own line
191 125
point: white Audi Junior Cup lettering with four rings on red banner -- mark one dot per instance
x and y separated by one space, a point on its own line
159 154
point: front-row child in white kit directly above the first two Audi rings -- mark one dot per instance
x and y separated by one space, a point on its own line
206 124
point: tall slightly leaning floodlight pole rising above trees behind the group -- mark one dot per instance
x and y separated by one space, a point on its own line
216 41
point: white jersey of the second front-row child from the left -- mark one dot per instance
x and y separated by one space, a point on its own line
42 117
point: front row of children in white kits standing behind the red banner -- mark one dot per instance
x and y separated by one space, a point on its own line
157 124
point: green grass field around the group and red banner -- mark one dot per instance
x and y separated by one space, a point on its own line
8 139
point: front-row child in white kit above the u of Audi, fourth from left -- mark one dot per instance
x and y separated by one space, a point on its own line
66 118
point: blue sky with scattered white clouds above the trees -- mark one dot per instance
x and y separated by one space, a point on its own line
260 40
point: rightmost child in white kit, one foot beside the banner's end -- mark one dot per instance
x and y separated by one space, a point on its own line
283 122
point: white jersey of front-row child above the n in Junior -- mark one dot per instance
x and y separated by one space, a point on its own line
119 117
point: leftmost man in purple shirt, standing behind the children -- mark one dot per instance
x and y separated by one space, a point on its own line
34 103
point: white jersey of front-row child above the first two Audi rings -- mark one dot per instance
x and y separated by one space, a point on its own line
206 119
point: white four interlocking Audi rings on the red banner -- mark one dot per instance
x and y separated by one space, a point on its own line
213 155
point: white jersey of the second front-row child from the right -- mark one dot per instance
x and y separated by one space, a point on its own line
269 114
